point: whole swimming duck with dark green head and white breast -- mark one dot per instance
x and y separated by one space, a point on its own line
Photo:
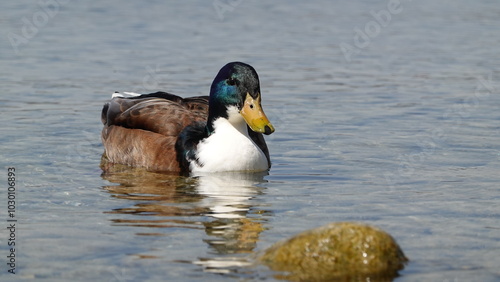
160 131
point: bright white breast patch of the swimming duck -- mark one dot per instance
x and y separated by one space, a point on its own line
229 148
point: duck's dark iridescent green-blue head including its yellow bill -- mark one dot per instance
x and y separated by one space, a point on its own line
237 84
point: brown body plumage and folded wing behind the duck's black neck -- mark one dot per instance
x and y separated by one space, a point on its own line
142 131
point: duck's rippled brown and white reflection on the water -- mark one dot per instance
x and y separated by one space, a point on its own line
222 204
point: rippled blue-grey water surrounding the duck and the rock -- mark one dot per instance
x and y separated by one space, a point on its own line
386 112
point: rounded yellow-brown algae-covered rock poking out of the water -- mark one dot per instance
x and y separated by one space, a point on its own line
337 251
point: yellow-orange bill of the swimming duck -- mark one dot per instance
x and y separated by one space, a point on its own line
254 115
